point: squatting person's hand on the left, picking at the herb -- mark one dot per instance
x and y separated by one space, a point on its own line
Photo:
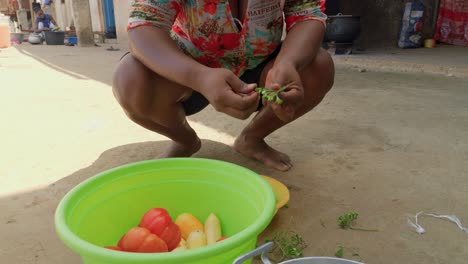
228 94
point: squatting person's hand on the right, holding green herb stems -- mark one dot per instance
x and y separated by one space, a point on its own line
293 97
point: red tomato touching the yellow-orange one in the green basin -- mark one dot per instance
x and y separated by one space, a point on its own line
159 222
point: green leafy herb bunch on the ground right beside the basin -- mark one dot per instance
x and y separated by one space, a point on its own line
288 245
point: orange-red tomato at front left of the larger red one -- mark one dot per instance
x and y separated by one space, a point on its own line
139 239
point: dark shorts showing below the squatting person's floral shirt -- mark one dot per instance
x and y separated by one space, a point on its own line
197 102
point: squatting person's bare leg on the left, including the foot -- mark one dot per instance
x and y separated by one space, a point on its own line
154 103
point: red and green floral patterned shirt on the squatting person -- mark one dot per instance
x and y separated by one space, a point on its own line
207 31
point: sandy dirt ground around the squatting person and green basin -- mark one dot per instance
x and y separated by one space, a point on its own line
383 144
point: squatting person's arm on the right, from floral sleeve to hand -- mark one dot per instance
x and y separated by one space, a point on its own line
305 23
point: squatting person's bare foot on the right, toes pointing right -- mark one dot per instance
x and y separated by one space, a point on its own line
258 149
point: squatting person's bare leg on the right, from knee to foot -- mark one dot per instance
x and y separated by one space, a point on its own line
317 79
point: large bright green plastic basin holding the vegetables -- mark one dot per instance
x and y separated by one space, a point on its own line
100 210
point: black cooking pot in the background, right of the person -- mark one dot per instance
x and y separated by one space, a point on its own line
342 28
